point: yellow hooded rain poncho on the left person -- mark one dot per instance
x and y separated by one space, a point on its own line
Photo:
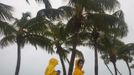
50 70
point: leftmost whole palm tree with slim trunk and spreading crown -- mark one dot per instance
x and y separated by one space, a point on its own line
21 34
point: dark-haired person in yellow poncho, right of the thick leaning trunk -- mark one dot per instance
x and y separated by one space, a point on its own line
78 67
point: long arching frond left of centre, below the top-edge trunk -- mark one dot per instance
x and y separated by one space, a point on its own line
56 14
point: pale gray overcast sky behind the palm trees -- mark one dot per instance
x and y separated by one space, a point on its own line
34 61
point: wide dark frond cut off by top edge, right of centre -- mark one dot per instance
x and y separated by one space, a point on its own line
96 5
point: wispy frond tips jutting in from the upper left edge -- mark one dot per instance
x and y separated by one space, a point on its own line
5 12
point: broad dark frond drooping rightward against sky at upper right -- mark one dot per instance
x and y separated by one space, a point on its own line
108 24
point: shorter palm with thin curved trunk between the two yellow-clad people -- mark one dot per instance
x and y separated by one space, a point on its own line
58 34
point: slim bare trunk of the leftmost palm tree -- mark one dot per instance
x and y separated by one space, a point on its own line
18 60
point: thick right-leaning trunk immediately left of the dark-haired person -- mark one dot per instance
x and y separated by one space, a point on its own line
71 65
